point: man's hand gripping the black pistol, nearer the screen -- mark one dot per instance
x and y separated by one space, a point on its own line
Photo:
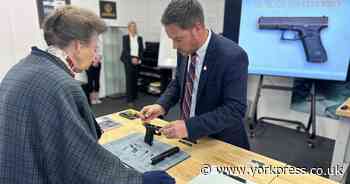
175 130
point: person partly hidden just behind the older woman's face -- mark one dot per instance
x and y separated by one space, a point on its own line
93 75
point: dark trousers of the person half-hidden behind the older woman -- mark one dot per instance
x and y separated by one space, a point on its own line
93 74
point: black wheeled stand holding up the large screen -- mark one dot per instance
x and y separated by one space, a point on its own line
300 126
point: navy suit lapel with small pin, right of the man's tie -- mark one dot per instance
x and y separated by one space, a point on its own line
208 65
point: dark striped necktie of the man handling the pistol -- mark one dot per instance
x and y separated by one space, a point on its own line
190 77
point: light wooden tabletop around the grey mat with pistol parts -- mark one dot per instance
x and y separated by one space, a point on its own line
215 153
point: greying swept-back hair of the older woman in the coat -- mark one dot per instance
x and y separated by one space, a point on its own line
71 23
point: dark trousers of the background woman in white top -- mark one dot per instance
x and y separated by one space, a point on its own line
131 75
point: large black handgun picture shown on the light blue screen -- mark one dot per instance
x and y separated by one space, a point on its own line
308 29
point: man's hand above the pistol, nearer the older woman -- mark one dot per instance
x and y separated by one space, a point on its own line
151 112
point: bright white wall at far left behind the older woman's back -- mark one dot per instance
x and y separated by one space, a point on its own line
19 32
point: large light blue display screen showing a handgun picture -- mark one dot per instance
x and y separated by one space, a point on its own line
266 26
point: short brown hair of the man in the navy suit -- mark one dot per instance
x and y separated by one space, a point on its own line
183 13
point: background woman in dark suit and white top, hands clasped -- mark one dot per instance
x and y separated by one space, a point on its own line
131 57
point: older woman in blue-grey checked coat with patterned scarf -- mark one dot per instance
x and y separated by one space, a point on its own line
48 133
